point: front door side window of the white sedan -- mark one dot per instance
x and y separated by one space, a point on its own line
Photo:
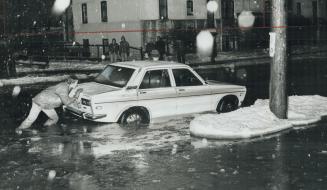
184 77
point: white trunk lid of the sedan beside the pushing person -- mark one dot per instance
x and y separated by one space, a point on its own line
94 88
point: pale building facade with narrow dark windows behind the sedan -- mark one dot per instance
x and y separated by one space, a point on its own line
140 21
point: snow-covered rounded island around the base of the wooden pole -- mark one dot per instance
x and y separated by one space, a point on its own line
257 120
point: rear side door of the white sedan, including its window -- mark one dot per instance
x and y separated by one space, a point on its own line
157 94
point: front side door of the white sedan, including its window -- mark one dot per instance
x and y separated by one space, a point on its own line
193 95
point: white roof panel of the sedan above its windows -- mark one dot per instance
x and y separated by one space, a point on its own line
150 64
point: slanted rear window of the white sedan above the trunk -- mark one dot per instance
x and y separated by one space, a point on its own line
115 76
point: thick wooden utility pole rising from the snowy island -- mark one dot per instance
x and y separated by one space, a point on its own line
278 70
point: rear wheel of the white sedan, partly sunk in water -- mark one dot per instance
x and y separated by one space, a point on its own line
134 117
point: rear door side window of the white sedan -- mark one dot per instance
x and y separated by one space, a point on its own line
156 79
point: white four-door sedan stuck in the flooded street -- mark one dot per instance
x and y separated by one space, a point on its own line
138 91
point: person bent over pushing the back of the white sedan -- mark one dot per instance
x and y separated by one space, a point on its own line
47 100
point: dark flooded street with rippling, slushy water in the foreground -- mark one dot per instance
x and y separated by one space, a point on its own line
77 154
